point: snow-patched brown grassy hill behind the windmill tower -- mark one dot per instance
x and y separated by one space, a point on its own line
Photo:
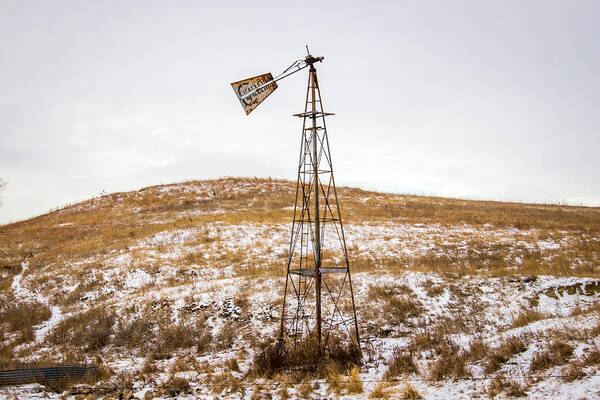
174 287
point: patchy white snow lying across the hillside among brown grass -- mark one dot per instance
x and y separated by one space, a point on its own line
149 272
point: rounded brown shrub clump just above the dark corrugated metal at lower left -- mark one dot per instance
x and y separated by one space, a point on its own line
89 330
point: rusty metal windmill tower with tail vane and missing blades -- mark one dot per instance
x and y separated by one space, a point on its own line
318 301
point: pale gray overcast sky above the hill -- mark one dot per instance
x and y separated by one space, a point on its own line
475 99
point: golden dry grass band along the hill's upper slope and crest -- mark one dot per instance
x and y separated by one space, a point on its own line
119 220
